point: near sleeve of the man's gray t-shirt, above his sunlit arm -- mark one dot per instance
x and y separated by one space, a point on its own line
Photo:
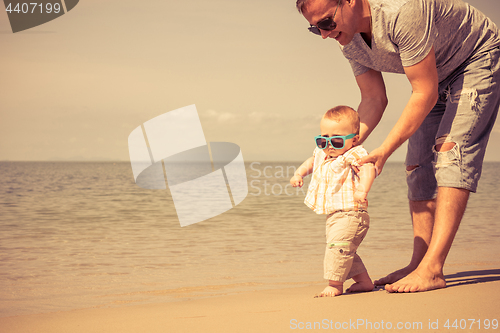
415 31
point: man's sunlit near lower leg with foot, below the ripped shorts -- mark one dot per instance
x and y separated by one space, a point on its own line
450 207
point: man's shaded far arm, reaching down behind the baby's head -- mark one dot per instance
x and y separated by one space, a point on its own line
373 101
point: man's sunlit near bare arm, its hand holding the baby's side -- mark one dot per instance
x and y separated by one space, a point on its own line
424 81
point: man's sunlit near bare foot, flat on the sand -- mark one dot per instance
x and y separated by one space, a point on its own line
418 280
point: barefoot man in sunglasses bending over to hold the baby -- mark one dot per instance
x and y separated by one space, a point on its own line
449 52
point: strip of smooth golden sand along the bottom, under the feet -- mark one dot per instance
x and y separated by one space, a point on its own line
470 300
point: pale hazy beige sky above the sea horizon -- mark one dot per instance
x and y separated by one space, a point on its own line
74 88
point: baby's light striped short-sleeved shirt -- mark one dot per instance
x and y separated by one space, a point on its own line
334 181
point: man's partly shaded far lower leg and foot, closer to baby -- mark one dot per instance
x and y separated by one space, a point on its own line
422 215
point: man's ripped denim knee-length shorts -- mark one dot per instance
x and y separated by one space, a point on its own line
464 115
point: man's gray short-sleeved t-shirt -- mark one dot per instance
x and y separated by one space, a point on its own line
404 32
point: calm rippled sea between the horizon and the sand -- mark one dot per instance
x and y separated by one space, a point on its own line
83 234
